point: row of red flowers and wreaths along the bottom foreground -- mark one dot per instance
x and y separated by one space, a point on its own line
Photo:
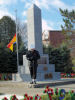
49 94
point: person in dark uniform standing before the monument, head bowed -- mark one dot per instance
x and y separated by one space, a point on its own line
32 56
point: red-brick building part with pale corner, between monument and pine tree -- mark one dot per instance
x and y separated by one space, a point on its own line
53 38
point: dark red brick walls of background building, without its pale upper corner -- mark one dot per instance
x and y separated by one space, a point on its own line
56 38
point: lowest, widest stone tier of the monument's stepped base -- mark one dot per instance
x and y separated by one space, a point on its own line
40 77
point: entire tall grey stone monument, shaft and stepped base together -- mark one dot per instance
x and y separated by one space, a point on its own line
45 71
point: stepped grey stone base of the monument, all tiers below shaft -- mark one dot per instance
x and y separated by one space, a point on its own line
45 71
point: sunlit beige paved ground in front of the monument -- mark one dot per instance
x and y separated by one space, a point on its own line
20 88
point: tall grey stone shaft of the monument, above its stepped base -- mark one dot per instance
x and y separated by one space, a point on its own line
34 26
